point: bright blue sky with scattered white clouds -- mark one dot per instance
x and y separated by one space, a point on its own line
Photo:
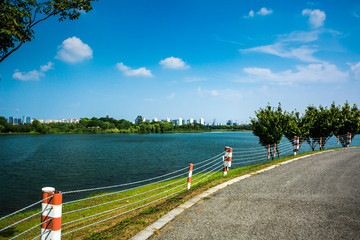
211 59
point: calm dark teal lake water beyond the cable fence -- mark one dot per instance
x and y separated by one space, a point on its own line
70 162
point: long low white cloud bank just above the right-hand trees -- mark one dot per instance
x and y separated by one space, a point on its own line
320 72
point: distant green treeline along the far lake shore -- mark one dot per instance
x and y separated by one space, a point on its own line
111 125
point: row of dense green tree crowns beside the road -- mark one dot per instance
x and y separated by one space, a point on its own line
315 127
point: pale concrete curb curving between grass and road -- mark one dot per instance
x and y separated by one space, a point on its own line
157 225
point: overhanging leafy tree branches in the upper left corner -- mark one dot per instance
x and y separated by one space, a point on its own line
18 18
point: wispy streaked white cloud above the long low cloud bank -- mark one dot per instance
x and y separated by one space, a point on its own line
303 53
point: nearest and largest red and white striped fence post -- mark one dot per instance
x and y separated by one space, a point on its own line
51 214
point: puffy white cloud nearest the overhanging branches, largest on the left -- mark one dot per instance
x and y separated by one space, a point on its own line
73 50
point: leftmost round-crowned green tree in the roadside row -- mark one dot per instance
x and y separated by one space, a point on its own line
269 126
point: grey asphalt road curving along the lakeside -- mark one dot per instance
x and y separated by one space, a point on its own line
313 198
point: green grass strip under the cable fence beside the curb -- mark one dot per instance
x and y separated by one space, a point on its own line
124 226
